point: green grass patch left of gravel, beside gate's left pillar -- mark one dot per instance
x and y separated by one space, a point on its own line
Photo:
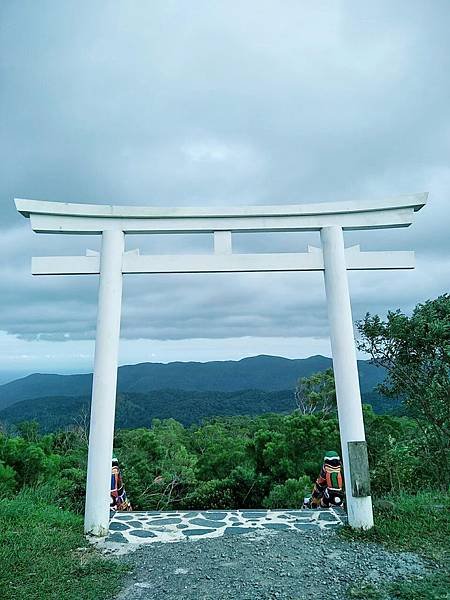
44 555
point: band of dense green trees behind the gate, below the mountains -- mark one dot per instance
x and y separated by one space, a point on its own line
244 462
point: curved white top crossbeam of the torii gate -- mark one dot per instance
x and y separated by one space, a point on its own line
58 217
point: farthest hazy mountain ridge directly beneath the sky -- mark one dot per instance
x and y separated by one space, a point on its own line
264 373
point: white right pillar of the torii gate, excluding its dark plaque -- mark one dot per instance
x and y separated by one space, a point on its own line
351 424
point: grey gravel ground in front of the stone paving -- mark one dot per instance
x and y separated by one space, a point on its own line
262 566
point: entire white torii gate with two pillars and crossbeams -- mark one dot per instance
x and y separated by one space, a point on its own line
113 222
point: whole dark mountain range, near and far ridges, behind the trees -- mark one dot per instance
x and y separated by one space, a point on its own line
187 391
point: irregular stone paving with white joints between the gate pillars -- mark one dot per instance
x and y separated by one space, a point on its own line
149 527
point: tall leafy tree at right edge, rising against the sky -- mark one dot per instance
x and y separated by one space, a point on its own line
415 351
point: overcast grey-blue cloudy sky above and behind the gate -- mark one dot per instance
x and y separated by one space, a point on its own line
216 103
